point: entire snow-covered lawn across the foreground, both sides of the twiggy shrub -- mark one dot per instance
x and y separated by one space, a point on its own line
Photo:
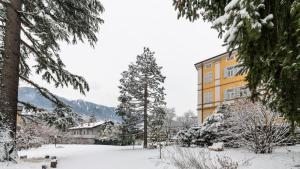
113 157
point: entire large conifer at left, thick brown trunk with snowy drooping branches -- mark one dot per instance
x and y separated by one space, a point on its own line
42 24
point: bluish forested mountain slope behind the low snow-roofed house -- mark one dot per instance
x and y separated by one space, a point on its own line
84 108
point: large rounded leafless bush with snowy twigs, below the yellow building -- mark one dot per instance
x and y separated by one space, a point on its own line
259 128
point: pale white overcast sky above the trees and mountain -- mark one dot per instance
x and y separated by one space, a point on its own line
129 26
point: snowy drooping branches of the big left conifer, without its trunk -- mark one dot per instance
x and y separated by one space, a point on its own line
45 24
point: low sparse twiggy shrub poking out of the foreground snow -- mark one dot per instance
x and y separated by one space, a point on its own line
183 158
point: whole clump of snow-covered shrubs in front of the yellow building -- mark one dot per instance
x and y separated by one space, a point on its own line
243 123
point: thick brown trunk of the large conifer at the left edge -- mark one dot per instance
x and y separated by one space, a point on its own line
10 68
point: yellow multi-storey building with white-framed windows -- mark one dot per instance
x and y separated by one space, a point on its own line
218 83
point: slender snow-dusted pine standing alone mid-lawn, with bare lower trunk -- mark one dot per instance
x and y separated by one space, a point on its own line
142 84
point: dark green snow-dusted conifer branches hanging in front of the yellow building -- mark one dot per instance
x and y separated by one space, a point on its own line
267 37
